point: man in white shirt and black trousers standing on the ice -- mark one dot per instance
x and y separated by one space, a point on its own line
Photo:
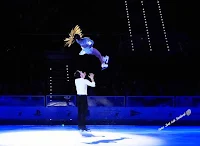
81 88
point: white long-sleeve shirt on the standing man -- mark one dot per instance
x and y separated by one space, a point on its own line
81 86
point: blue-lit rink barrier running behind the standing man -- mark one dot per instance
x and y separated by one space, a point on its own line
101 108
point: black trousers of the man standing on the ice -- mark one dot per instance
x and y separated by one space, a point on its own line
82 105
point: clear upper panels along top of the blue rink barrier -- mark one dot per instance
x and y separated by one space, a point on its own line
101 101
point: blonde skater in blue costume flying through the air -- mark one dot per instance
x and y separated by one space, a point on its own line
87 46
